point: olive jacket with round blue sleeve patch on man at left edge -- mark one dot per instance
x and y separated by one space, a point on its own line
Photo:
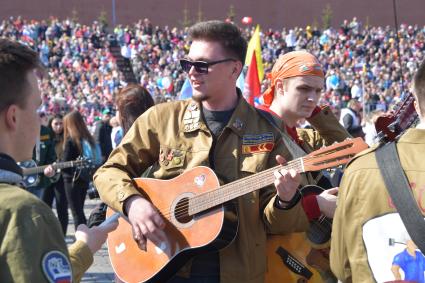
32 246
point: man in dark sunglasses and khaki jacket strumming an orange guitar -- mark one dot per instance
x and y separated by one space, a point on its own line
217 128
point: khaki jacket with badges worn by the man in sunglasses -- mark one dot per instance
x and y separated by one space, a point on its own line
173 137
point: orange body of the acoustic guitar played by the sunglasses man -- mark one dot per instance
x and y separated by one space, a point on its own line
185 236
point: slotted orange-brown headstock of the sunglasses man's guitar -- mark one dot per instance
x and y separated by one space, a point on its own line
333 155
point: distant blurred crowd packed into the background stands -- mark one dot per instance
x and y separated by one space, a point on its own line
359 61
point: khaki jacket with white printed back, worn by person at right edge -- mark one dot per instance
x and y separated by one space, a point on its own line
368 237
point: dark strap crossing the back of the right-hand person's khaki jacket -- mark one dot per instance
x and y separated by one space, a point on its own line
399 189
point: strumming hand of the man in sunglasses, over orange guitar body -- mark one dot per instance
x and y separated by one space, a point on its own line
145 220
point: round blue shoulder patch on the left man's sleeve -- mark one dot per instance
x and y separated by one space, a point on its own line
56 267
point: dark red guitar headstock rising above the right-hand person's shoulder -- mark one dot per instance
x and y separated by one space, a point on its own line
391 125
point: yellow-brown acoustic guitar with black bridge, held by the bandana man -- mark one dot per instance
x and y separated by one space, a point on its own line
303 256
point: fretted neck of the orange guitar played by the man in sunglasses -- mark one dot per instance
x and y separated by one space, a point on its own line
240 187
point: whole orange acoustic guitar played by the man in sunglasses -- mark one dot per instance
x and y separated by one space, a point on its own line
192 205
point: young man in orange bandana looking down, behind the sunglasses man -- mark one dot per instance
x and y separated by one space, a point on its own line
296 84
